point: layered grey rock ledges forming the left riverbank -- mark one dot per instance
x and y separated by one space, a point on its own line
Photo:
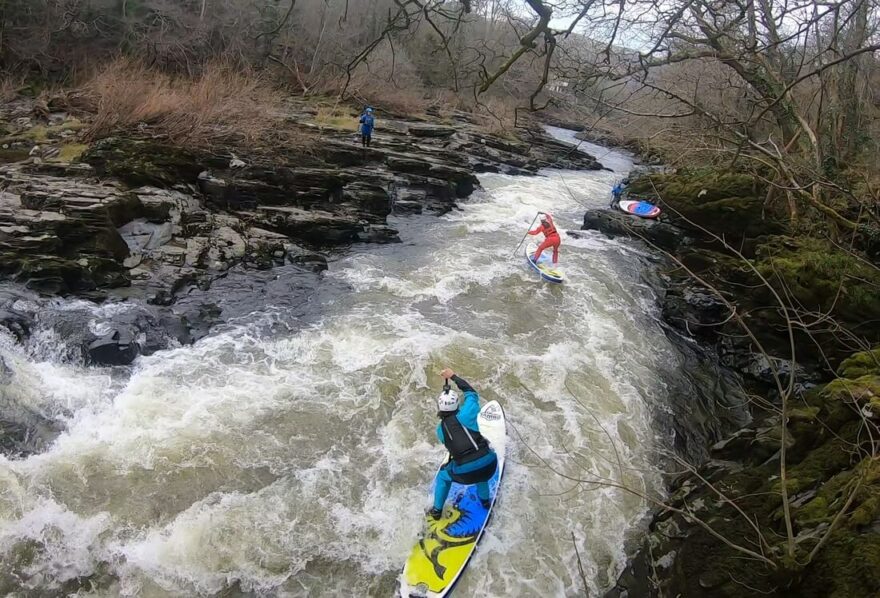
136 219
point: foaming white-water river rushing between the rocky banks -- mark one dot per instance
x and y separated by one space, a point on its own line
281 460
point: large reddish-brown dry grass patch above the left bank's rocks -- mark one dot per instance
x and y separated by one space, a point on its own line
221 105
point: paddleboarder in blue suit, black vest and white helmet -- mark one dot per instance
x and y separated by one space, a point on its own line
471 460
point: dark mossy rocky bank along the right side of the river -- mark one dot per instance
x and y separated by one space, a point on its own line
784 310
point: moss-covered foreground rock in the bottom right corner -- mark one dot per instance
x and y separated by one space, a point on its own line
827 471
